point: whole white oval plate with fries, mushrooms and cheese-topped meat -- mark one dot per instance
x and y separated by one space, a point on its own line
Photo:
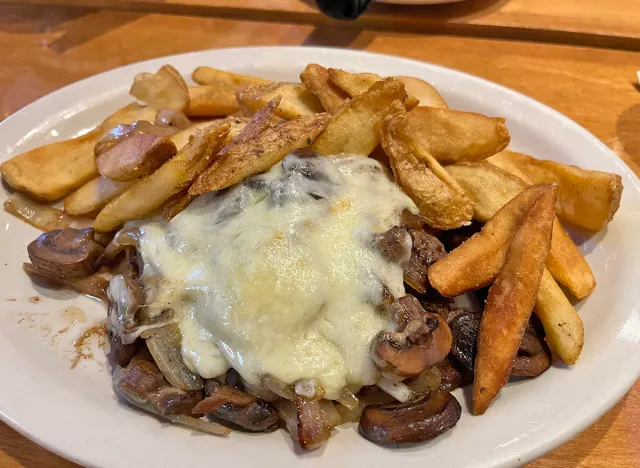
54 383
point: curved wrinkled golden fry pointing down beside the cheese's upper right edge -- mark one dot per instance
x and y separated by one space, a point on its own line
442 206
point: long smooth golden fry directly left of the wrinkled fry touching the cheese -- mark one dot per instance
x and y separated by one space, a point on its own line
151 192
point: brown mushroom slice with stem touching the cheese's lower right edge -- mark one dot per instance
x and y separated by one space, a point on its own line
423 339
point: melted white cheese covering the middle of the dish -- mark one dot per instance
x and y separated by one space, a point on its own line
277 275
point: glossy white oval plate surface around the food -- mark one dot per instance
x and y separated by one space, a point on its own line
74 412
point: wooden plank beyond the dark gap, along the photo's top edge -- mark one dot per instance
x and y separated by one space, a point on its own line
611 23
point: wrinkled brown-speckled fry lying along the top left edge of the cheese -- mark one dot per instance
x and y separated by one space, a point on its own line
259 154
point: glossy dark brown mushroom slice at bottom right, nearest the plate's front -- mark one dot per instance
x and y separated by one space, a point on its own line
410 423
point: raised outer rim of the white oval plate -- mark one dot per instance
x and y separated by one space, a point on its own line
529 452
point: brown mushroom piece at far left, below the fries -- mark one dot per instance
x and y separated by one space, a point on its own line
69 253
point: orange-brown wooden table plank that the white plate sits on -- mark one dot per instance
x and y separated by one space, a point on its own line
45 48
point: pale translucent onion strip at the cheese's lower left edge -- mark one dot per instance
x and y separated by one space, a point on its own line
165 347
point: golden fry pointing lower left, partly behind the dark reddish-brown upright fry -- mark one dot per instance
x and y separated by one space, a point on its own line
477 262
